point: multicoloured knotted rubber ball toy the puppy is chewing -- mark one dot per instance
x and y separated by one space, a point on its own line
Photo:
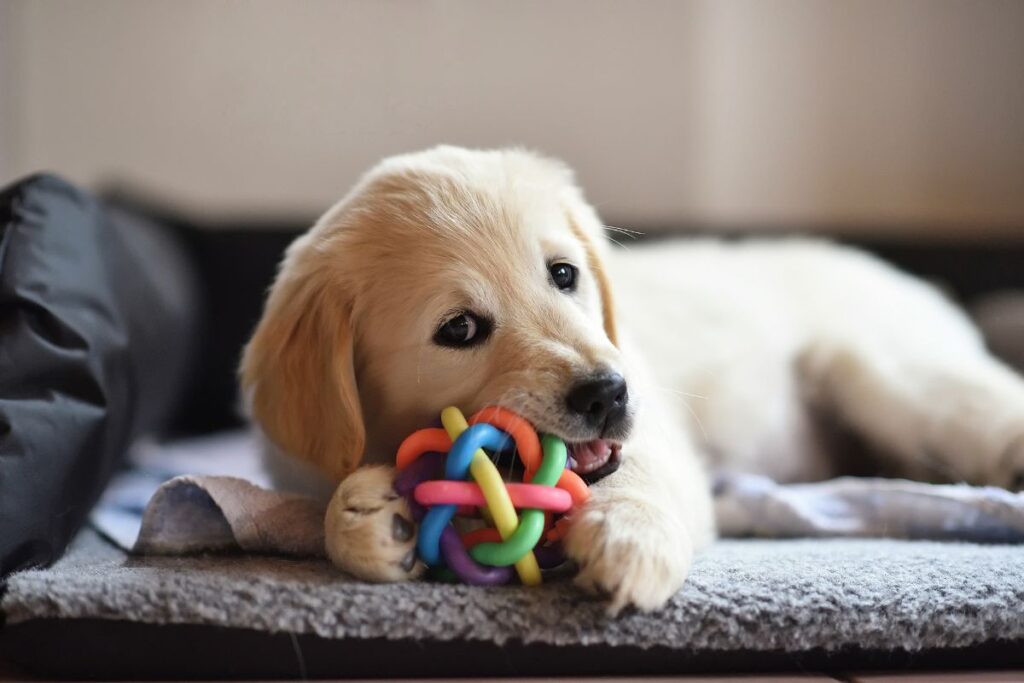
523 531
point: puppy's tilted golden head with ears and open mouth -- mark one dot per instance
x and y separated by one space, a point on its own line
446 278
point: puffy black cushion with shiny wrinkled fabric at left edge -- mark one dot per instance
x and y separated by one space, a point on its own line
98 325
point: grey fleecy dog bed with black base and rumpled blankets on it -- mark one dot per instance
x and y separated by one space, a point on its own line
757 604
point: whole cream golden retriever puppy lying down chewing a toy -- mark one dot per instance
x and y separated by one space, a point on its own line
476 278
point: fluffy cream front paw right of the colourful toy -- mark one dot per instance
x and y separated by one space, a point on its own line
629 550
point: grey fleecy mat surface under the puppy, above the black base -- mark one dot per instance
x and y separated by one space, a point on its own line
742 595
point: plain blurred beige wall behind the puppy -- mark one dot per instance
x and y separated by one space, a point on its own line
719 113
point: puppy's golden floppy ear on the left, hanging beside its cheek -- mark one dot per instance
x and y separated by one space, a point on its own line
297 371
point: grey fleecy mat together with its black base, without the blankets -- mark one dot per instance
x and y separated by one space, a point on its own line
760 604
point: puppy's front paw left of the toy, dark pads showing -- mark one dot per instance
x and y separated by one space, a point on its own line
369 531
